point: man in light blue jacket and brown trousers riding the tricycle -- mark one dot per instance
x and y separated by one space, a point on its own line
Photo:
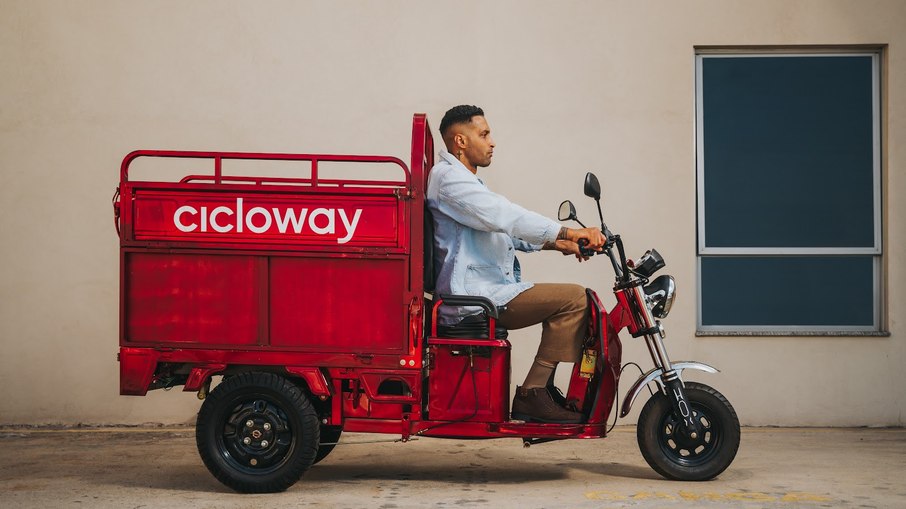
476 234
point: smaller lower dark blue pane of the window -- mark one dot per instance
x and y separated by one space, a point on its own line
778 291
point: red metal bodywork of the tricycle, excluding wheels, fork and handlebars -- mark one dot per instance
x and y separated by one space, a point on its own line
347 319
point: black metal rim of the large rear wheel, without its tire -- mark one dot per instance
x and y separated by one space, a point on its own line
257 436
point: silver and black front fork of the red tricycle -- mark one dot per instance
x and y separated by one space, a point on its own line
671 382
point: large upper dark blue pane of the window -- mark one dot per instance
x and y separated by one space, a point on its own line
788 151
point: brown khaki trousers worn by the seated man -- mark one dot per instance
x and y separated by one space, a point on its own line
562 310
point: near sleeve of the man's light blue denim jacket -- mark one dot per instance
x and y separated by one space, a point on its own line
469 202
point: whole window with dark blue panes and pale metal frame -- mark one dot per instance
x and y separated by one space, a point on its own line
789 193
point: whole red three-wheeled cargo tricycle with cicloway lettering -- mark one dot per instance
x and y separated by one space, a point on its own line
311 296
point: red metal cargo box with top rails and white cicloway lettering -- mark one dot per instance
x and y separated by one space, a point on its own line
290 267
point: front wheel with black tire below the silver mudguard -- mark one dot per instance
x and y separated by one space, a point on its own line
672 453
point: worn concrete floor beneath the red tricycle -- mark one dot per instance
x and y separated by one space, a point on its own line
148 467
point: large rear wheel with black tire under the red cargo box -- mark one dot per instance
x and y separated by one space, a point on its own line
275 450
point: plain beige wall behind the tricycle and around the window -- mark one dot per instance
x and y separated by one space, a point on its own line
568 87
